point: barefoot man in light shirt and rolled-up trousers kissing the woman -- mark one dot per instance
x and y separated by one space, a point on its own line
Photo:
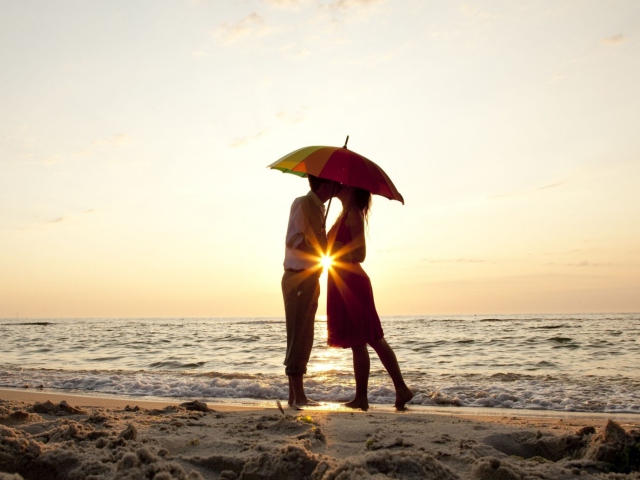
306 242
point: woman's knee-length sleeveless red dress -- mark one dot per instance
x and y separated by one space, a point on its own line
352 319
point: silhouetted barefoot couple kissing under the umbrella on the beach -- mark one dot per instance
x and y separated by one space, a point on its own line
352 320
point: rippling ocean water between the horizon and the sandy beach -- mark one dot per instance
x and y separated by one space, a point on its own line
582 362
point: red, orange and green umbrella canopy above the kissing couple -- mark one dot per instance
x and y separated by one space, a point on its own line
341 165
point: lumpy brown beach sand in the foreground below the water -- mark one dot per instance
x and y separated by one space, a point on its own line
47 436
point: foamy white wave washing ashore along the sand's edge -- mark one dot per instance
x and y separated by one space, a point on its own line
501 390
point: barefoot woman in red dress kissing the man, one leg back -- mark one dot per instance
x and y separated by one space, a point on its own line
352 320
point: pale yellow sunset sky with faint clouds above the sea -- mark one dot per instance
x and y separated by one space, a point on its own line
135 138
